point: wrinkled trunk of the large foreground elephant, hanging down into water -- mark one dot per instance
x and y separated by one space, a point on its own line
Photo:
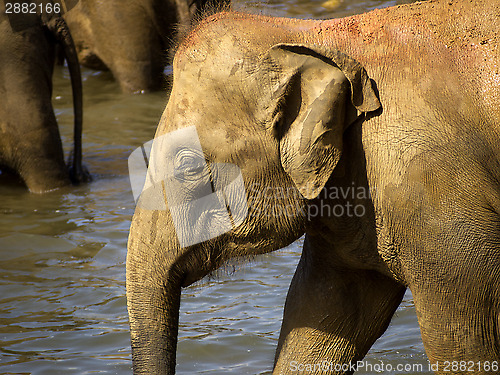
153 295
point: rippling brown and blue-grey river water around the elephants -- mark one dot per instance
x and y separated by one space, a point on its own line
62 257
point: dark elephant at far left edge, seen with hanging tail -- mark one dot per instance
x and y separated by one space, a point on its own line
30 143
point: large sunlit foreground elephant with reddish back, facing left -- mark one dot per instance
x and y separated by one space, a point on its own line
376 135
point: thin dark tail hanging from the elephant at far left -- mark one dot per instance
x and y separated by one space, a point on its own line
60 30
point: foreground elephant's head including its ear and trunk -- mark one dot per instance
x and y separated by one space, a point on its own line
251 132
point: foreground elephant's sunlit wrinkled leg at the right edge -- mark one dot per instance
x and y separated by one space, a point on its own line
455 281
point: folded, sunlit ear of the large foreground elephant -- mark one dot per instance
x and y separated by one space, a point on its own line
319 93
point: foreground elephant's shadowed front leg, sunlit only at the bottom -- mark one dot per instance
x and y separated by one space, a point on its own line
332 316
